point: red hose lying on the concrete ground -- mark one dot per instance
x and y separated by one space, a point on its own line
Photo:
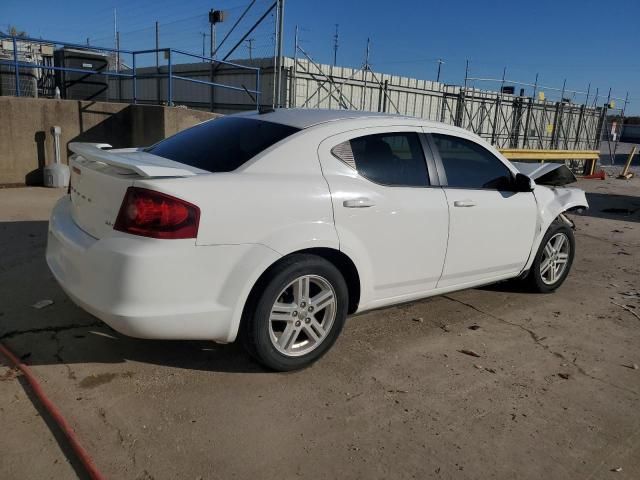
82 454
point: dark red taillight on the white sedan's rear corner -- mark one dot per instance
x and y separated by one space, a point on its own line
154 214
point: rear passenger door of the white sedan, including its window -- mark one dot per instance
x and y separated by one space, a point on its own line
390 215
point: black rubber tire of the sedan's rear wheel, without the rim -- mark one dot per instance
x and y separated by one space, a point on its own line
256 325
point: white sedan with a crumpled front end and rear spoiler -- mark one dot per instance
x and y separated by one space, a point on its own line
273 226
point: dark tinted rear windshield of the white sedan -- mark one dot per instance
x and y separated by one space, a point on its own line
221 145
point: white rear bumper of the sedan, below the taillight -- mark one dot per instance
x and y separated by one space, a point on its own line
148 288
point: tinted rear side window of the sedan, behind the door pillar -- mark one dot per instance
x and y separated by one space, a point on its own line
392 159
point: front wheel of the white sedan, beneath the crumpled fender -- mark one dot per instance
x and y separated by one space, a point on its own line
553 260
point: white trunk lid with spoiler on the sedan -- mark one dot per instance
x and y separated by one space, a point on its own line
100 178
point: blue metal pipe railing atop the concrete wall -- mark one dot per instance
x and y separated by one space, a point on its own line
133 75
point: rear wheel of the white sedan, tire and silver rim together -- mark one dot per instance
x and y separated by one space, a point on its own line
297 314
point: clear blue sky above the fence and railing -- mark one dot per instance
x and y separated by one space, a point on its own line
582 41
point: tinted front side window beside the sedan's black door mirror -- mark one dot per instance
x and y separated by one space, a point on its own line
469 165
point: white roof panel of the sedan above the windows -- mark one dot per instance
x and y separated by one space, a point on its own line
307 117
